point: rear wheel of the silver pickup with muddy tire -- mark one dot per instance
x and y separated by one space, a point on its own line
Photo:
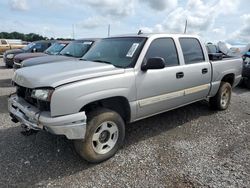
222 99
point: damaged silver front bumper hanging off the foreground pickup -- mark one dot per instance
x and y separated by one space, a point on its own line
73 126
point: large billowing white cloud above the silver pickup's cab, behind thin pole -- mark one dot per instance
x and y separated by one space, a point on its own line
199 14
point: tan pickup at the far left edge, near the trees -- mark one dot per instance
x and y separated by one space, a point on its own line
6 44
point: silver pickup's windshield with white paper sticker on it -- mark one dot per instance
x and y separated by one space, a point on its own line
120 52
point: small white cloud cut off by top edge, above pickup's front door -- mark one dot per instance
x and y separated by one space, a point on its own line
161 4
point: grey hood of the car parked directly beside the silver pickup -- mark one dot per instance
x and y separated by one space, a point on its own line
45 59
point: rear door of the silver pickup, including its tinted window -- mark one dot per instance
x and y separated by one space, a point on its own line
197 71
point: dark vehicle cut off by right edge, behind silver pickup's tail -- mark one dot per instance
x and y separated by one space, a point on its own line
246 69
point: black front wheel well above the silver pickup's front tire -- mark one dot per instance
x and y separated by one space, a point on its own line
117 104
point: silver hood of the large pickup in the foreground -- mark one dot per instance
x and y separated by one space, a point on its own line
53 74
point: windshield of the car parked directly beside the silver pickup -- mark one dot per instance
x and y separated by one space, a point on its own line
76 49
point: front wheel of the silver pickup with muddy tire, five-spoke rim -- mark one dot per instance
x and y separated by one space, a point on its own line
105 133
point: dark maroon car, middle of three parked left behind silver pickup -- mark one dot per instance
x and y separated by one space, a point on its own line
54 49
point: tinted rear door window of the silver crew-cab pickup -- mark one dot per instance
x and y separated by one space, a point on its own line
192 50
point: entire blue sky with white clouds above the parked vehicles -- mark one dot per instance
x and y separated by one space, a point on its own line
214 20
